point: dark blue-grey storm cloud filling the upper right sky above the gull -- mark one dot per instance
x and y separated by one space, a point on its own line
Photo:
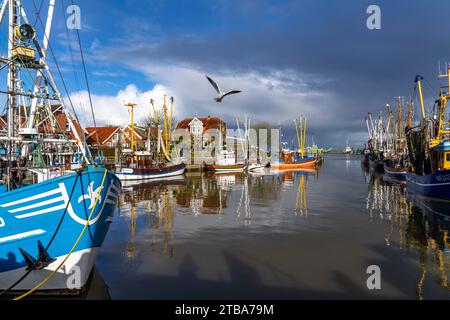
327 44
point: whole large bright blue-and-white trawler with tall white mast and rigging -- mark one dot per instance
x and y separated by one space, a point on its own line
53 219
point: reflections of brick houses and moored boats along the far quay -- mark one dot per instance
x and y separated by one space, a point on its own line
204 194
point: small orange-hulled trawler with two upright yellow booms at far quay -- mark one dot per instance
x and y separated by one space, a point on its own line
290 160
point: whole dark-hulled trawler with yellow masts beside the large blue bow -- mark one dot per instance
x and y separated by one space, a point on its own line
143 164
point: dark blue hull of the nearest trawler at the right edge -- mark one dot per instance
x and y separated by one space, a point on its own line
436 185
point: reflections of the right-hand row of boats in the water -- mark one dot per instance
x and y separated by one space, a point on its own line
414 223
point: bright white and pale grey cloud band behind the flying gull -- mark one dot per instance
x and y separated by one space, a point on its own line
277 97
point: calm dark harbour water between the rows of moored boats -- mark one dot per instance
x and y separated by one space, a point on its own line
282 236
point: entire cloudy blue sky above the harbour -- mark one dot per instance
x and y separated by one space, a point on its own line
311 57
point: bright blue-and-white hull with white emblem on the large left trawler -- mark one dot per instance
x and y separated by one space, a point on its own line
55 212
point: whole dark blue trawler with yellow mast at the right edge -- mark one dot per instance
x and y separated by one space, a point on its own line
429 148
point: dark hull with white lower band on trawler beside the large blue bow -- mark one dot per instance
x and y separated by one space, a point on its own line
143 173
